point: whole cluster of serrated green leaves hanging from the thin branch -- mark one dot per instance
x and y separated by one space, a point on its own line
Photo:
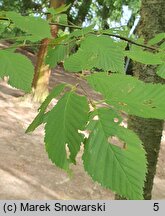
113 155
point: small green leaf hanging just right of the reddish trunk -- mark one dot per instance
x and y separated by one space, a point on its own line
56 55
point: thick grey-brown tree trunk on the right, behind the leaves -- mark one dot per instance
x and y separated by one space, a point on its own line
149 130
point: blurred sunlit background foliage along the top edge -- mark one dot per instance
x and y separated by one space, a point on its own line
102 12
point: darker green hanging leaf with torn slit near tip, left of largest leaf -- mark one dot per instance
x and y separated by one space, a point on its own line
61 130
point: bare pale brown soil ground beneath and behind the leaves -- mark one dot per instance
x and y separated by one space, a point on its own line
25 170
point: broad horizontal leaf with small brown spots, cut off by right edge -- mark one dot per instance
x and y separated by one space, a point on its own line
130 95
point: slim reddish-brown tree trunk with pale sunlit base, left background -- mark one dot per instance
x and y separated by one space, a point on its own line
42 71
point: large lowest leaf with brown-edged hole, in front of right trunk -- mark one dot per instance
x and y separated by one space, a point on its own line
122 169
